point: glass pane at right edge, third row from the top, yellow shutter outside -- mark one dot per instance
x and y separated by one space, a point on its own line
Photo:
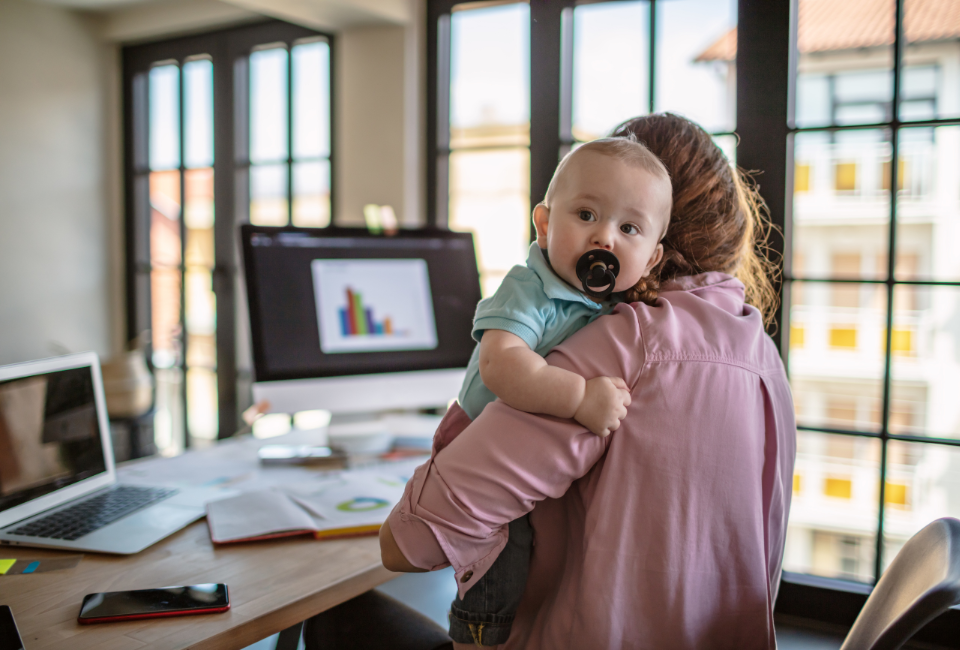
926 361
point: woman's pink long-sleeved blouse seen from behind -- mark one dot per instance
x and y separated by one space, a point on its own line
669 533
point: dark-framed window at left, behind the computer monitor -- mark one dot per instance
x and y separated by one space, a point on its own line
221 128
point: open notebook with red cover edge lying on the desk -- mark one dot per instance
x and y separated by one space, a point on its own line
348 505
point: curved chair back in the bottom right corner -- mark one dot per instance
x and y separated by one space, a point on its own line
922 582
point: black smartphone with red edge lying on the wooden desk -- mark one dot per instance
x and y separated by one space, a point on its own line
154 603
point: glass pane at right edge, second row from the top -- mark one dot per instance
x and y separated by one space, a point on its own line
928 203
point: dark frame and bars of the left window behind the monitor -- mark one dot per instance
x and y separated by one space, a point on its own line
229 49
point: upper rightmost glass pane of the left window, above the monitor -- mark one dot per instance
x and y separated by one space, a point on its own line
311 100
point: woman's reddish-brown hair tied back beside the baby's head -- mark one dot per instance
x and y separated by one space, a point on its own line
718 221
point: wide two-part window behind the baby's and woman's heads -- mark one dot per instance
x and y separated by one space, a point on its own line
607 62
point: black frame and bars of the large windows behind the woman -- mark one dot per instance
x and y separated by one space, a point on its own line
765 124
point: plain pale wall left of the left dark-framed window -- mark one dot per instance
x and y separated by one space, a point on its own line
59 231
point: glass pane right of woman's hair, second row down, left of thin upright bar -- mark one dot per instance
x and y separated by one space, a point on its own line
841 211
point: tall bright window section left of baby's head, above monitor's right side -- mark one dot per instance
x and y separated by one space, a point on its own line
489 134
